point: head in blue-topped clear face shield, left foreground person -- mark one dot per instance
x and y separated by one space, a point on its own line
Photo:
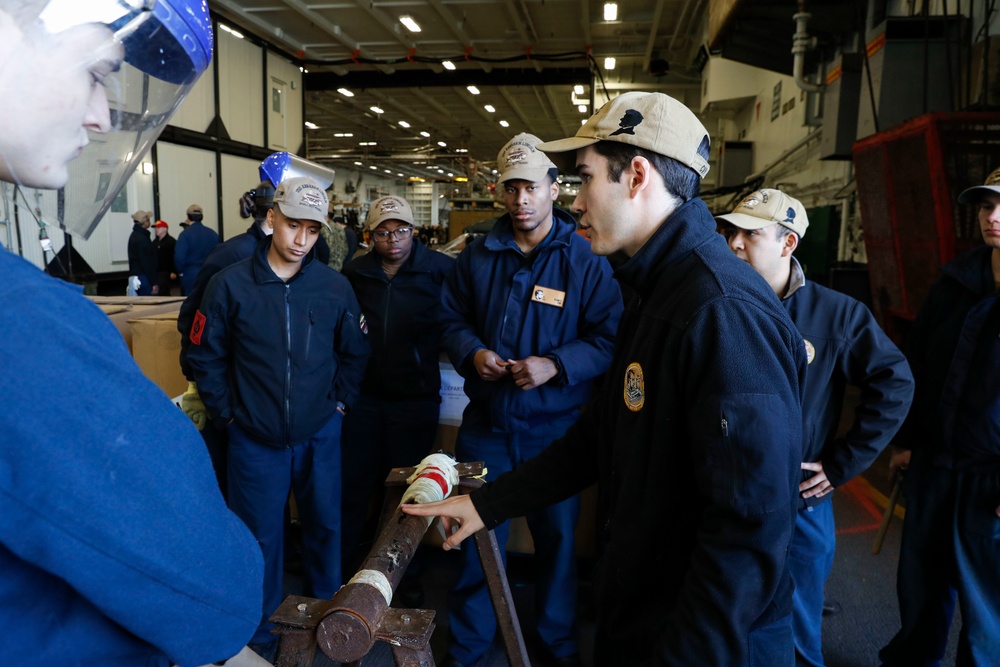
100 80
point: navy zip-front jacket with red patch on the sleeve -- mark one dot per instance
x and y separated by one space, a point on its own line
277 357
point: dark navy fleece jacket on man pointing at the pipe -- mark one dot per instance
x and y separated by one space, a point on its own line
695 441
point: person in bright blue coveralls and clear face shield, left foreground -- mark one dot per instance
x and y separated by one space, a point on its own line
115 545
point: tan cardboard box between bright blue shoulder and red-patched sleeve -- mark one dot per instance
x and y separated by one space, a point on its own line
156 346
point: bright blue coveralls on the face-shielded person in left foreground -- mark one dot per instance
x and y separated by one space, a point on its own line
115 545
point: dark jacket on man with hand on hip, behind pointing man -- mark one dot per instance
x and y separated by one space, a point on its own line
845 345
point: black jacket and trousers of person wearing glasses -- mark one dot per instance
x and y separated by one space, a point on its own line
394 422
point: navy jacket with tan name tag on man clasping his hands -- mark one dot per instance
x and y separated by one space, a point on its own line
491 302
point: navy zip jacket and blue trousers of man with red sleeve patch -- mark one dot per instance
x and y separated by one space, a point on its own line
273 360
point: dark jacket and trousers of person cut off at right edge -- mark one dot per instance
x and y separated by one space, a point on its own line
951 535
